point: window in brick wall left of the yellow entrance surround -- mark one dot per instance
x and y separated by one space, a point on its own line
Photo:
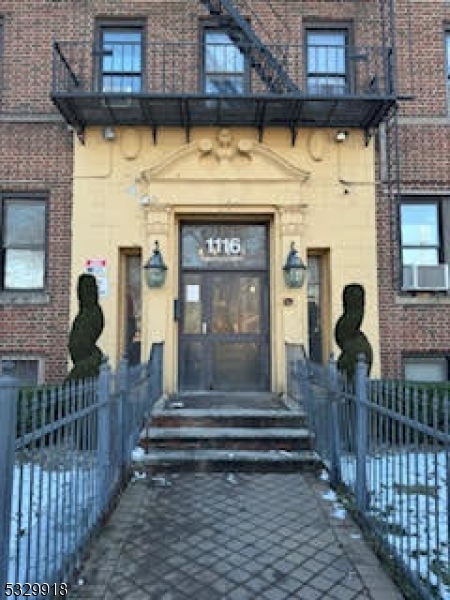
23 242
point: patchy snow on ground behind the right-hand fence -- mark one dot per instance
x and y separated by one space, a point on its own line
410 505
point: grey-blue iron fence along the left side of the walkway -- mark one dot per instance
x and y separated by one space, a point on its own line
64 456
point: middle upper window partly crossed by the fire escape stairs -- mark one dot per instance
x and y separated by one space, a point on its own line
224 64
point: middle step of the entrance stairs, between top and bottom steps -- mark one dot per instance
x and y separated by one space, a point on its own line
225 432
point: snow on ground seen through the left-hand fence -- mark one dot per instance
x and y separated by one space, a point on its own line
52 510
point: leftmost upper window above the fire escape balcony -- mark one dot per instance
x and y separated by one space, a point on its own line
120 58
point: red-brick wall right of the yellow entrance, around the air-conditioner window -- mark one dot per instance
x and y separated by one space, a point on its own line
422 328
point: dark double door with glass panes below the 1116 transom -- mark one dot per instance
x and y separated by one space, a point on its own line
224 332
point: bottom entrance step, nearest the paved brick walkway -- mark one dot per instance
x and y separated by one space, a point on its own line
159 461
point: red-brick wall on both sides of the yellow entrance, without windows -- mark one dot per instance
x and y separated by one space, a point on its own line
36 154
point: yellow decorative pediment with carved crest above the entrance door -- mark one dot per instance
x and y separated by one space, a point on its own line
224 158
